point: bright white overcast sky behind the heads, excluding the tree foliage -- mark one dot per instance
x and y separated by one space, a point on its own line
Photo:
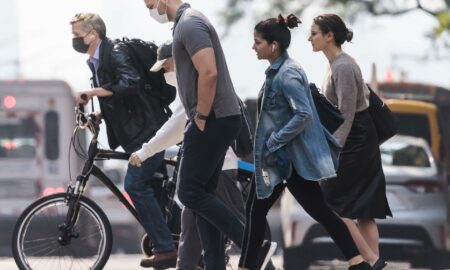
38 32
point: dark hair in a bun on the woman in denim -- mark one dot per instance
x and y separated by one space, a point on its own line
277 29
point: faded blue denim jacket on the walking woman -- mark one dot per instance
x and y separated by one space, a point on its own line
289 132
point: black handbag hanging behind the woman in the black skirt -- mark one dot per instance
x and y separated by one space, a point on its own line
386 123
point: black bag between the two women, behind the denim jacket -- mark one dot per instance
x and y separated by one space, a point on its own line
329 115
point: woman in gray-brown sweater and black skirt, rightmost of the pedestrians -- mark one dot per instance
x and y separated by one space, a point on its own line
359 190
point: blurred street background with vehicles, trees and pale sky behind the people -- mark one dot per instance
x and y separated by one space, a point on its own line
402 47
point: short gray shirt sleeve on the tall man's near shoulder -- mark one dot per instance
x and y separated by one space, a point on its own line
195 35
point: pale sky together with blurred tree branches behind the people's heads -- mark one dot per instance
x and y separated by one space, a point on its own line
36 37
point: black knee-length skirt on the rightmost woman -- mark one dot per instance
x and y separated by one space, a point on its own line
359 190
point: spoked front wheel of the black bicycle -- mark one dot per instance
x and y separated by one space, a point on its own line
37 241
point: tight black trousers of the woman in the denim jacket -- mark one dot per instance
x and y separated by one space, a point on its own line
309 195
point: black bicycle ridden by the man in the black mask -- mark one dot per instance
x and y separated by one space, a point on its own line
70 231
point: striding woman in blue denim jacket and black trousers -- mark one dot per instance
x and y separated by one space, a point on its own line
292 148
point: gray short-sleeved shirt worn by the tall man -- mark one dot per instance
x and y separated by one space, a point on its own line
193 32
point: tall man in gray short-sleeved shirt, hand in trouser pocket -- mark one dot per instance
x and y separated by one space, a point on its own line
208 96
